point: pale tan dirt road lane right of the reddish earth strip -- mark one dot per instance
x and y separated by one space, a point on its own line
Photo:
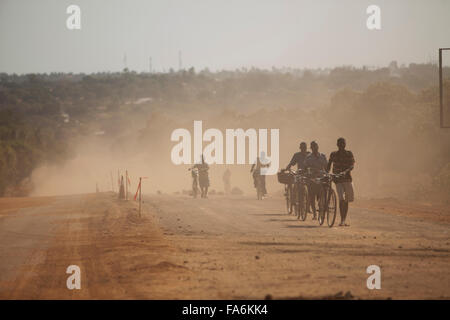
252 249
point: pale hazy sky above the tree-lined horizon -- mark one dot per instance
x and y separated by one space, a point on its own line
218 34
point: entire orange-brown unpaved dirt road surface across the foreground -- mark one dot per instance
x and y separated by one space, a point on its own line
216 248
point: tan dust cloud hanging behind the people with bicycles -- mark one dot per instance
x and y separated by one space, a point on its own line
390 161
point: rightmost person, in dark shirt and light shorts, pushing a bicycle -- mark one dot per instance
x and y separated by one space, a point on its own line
343 163
